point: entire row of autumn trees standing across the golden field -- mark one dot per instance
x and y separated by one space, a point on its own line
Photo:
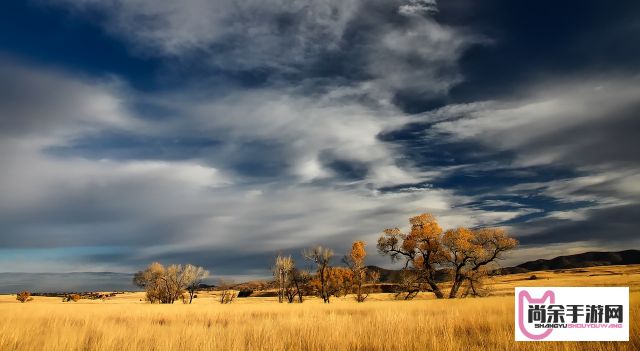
460 258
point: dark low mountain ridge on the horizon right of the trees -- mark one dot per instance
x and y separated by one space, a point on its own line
586 259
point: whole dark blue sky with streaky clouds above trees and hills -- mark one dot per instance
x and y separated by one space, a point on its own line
223 132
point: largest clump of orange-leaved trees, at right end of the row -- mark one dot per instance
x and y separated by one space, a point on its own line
428 252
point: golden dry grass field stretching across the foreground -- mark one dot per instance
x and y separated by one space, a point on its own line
381 323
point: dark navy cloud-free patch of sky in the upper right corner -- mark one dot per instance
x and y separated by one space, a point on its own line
536 39
